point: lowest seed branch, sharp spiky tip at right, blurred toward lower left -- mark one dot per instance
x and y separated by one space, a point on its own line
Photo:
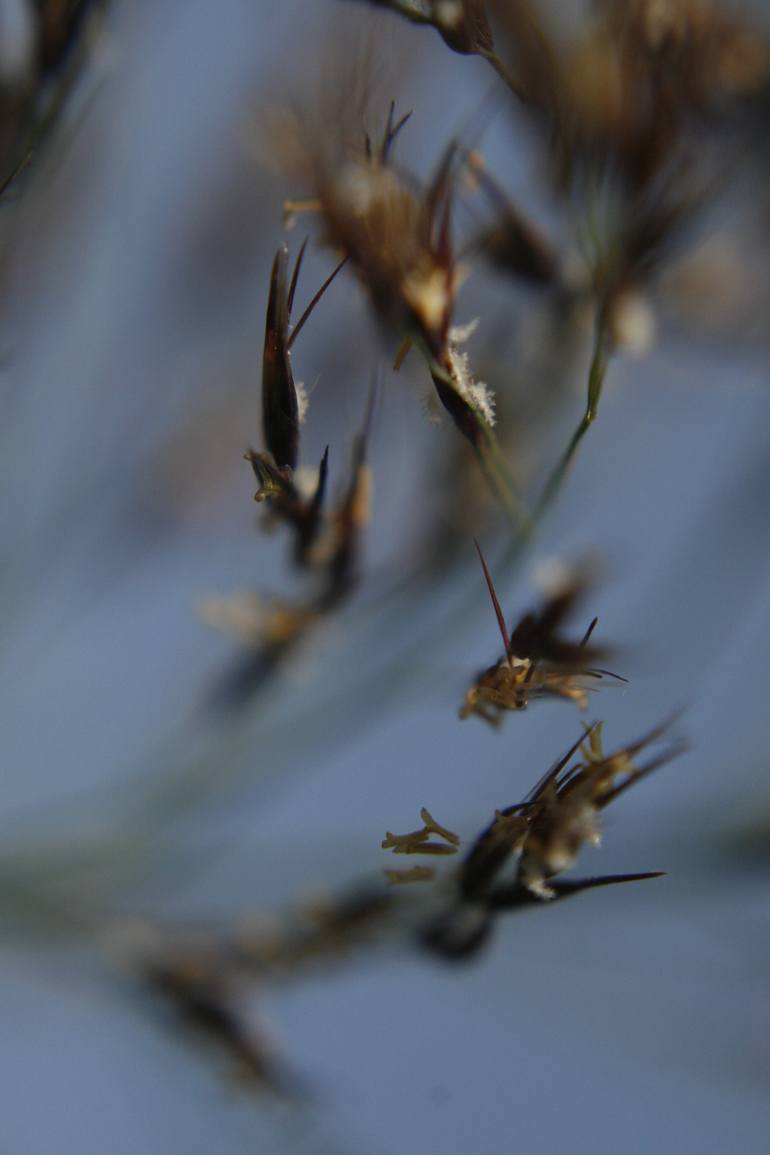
205 974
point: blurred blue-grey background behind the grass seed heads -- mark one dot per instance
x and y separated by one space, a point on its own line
136 269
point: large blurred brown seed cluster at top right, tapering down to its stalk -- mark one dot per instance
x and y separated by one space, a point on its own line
634 105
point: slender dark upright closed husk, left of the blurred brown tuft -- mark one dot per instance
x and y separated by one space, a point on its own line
280 403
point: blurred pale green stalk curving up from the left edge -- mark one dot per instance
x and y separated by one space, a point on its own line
138 818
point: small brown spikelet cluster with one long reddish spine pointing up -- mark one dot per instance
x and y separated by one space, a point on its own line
537 661
